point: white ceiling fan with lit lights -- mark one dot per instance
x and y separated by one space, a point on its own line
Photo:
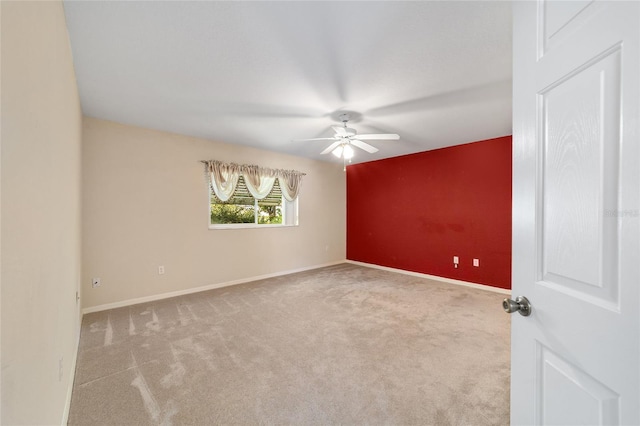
346 138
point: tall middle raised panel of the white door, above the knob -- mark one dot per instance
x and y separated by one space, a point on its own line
579 128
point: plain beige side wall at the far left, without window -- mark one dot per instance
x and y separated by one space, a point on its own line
40 167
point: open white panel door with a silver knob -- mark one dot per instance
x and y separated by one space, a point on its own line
576 212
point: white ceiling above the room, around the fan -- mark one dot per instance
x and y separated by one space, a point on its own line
265 73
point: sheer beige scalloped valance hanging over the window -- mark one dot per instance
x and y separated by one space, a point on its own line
260 180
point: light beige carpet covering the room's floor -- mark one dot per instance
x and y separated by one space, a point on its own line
339 345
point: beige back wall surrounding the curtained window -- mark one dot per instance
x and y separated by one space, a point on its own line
145 204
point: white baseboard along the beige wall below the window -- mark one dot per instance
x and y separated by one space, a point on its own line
161 296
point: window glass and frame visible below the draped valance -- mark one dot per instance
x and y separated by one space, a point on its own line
243 208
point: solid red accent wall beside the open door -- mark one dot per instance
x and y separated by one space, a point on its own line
417 211
